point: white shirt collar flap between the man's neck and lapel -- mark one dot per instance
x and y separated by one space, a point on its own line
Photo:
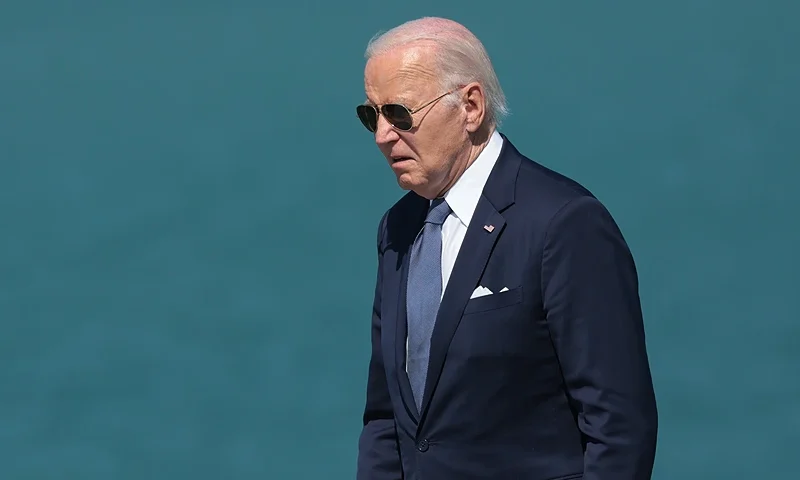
464 195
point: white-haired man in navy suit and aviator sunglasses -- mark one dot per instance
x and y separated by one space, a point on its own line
507 332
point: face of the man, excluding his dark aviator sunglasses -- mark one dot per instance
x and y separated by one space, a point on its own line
423 158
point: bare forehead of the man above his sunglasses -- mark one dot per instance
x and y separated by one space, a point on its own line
400 75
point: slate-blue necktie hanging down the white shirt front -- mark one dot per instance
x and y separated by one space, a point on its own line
423 295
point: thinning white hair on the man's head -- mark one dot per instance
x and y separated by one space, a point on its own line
460 58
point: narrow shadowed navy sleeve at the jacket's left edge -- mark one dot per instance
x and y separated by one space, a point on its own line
378 450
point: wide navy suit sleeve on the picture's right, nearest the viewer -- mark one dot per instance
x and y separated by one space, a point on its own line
591 299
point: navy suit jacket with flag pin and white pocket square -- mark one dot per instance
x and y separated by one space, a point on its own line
547 380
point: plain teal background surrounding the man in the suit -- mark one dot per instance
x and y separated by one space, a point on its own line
189 205
